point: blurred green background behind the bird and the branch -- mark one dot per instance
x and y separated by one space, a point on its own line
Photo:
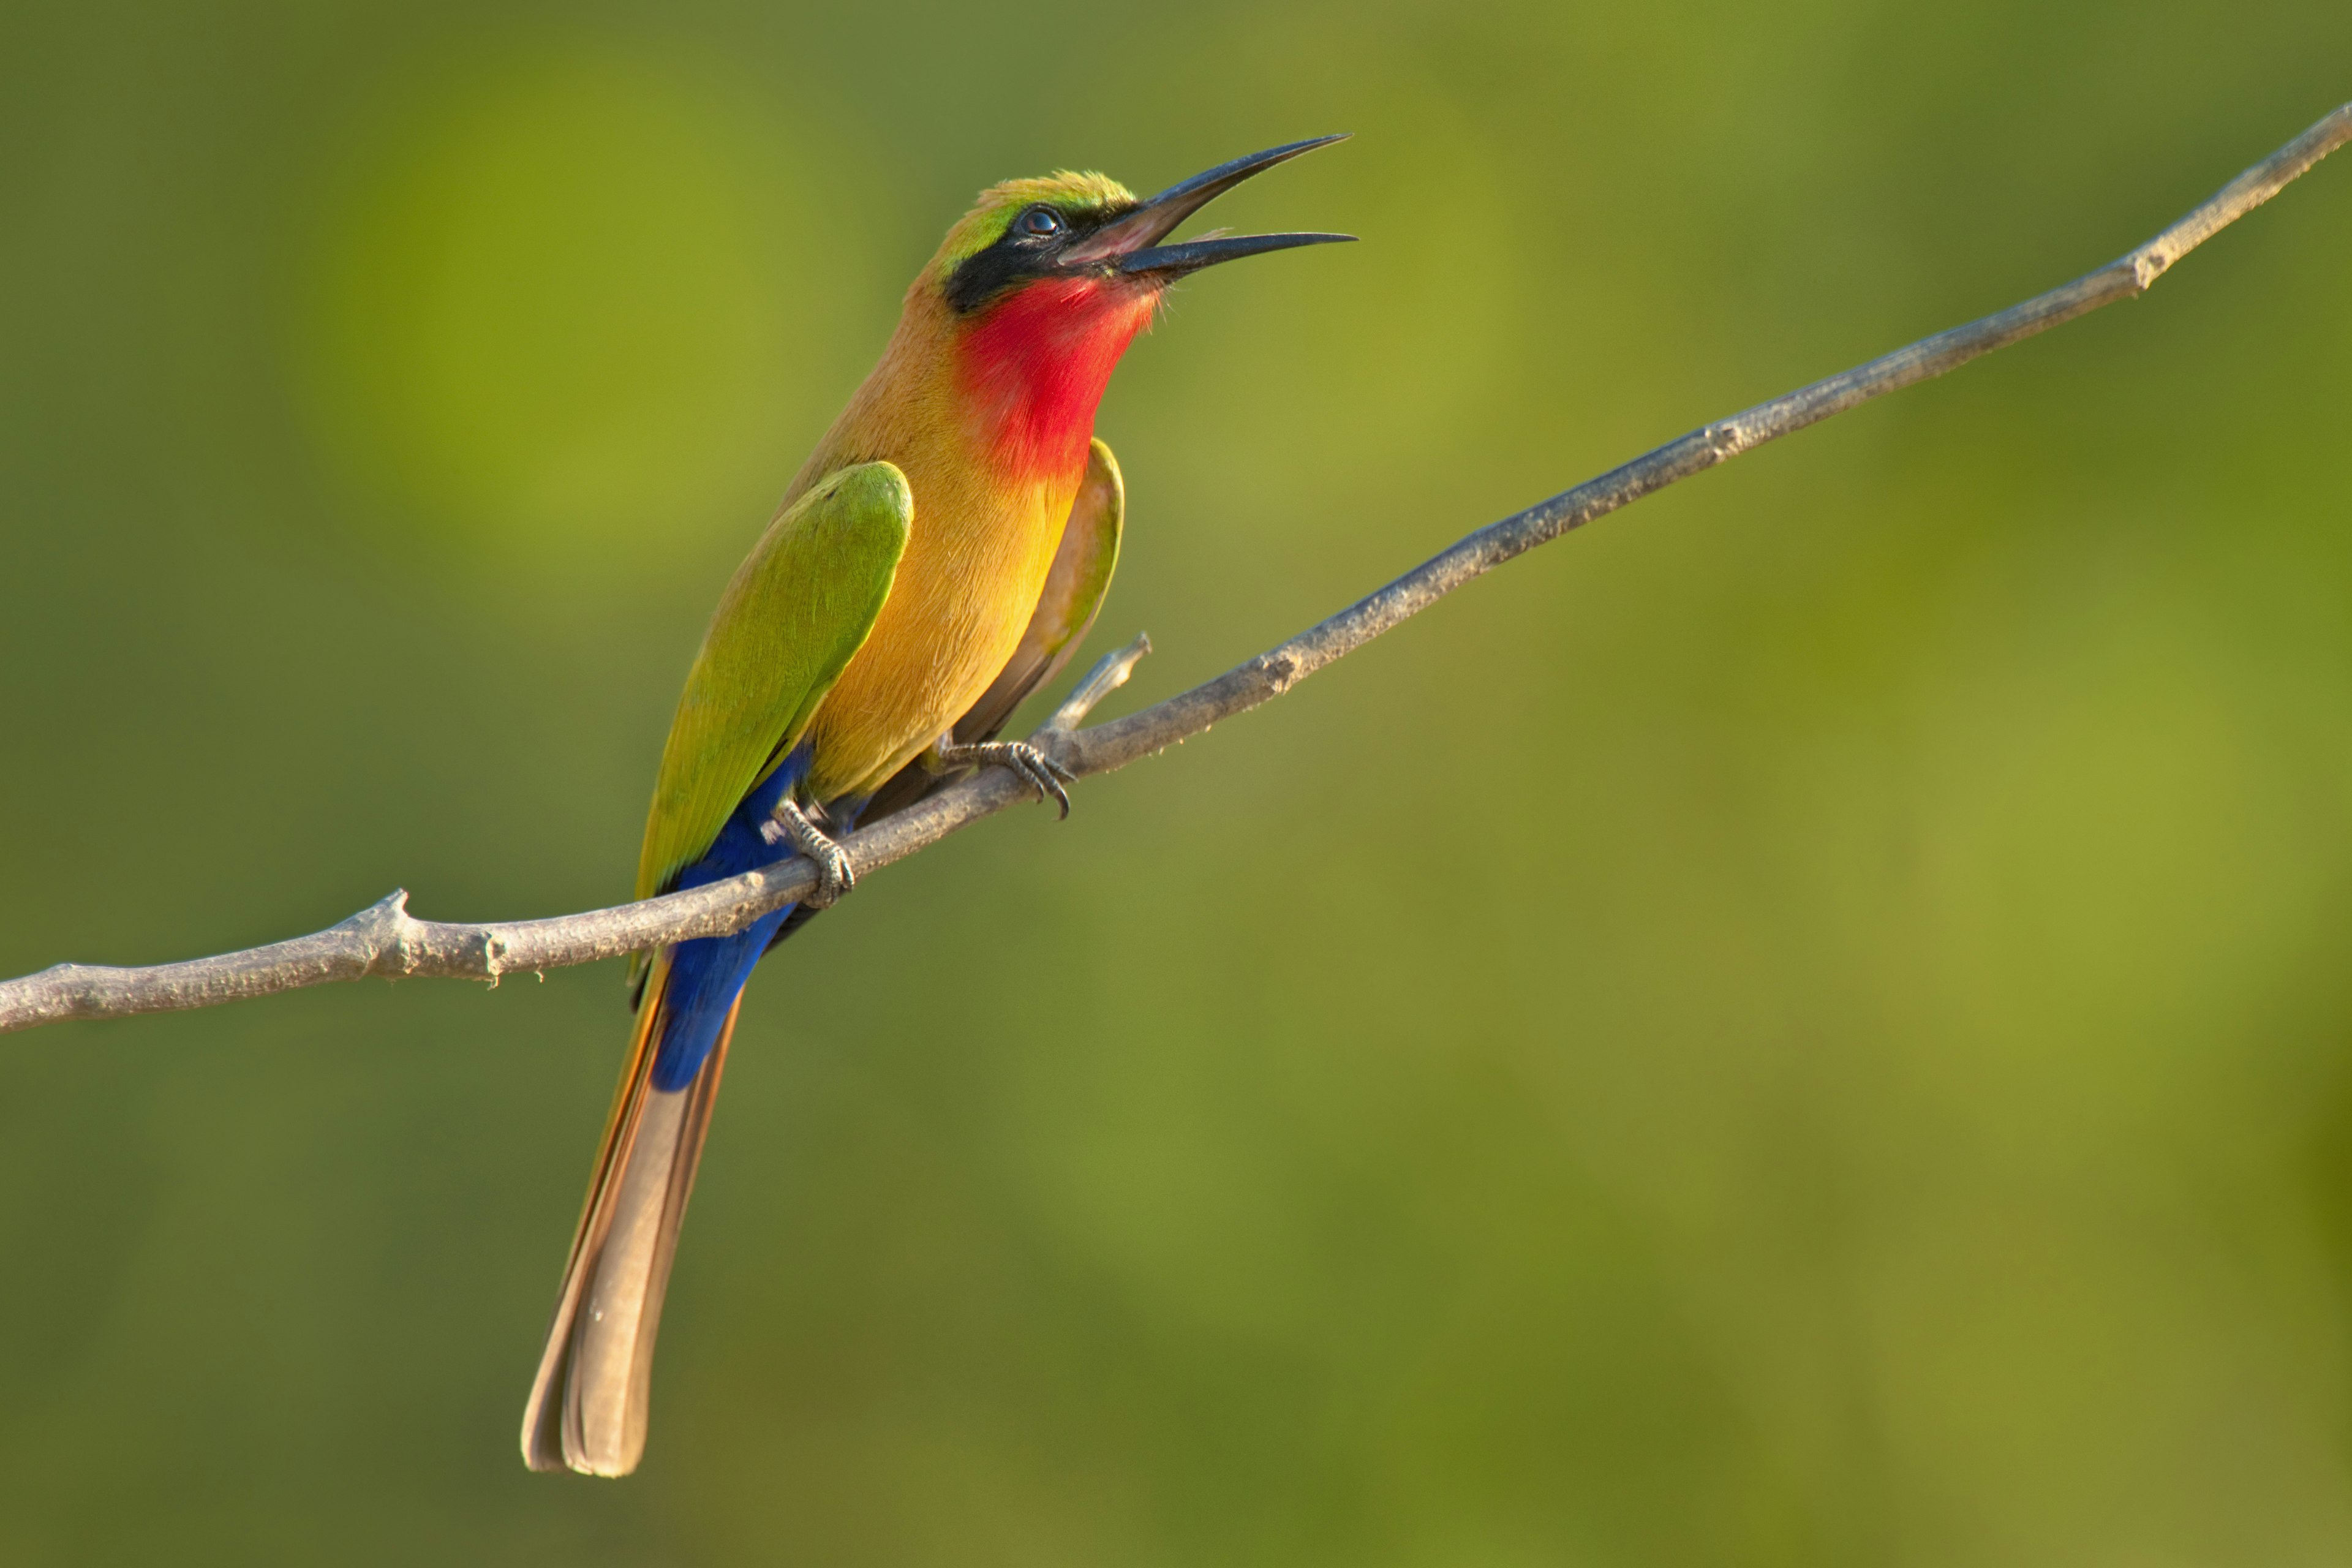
1864 1076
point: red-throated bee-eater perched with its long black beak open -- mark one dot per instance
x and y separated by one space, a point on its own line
937 558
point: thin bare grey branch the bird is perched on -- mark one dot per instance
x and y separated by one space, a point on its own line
389 942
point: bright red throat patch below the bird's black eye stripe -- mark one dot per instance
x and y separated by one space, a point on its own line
1038 363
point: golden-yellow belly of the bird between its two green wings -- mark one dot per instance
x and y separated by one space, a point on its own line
965 591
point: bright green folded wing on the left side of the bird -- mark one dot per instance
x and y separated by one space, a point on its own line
784 631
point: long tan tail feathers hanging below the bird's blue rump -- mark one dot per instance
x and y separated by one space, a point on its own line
589 1402
